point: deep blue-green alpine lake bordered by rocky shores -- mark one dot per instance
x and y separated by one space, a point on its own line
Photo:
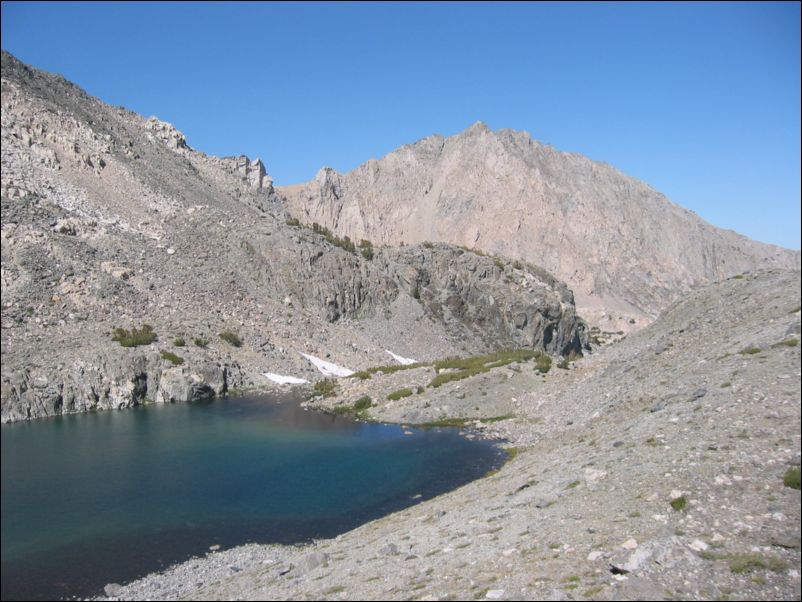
98 498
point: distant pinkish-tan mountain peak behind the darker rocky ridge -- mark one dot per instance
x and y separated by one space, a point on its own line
624 249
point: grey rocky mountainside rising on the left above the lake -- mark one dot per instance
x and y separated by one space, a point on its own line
110 220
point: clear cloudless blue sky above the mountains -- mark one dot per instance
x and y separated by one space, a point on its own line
702 101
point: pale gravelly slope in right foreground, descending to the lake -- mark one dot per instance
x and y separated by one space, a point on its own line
652 470
